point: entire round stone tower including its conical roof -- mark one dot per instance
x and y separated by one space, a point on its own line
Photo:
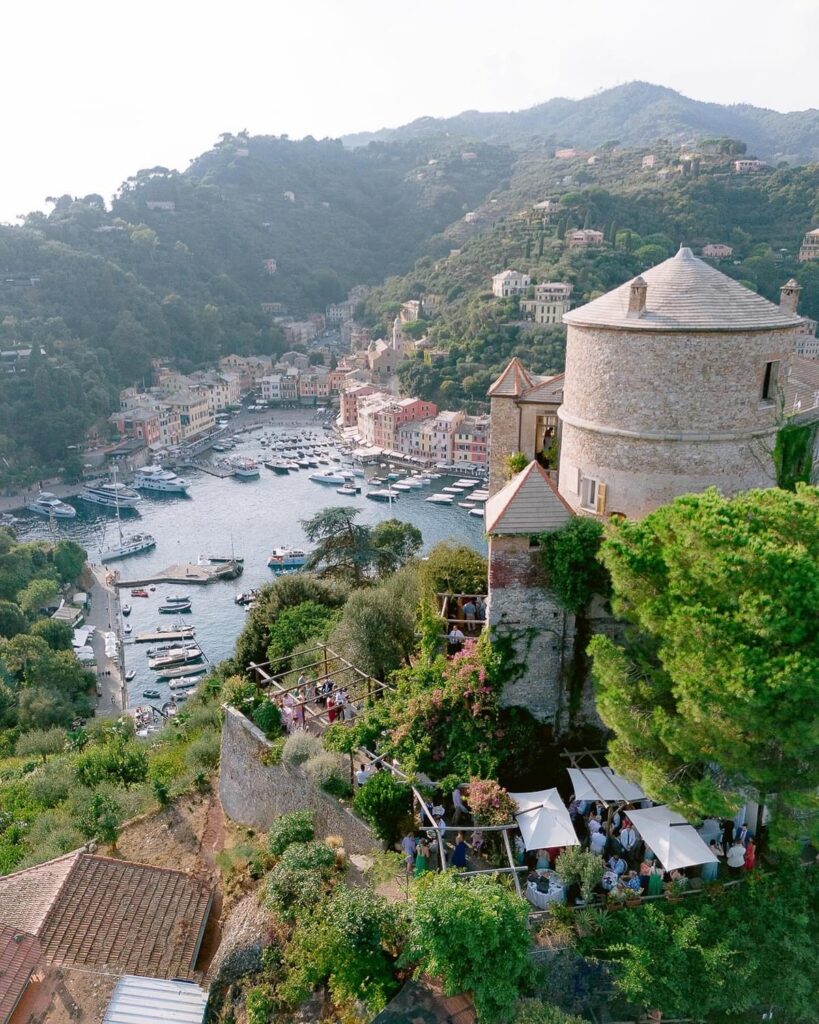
672 387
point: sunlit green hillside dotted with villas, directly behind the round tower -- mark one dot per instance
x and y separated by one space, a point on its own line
644 215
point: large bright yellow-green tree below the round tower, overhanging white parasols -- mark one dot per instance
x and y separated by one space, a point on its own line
713 692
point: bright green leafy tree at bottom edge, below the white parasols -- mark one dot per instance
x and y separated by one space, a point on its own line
472 935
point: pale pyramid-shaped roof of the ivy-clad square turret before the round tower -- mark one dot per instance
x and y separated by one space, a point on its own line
529 504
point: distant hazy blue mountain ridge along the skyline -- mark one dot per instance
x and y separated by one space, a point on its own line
634 114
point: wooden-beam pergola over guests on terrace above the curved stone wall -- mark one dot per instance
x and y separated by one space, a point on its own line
328 666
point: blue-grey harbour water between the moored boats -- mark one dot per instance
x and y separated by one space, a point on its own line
249 518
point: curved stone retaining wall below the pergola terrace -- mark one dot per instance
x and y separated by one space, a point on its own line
255 794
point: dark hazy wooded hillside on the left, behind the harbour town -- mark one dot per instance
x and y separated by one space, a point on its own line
98 292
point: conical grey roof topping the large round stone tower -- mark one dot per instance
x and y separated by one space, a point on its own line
684 293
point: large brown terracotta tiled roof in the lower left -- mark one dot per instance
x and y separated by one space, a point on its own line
116 914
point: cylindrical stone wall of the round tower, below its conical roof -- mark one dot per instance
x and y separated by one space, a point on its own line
655 416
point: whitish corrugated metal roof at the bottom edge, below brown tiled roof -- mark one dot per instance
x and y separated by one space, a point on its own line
152 1001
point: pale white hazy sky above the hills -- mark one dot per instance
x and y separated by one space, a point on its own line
93 92
